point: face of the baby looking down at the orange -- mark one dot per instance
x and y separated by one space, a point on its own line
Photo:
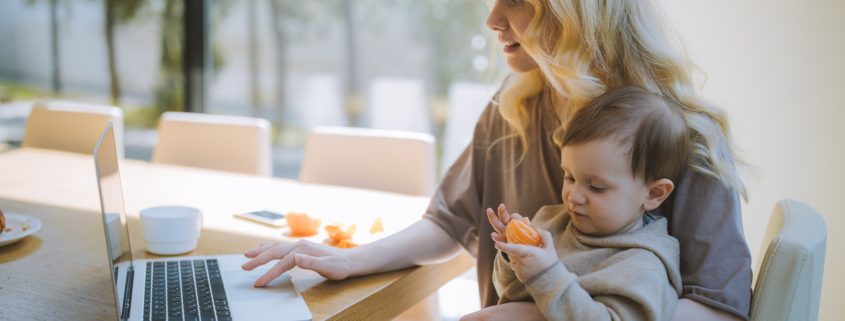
599 189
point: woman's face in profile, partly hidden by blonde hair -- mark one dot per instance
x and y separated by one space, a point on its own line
510 18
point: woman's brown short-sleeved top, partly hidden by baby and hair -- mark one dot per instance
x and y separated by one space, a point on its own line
715 259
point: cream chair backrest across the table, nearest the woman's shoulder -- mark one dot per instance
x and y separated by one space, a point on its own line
393 161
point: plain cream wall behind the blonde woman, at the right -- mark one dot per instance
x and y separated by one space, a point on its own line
777 67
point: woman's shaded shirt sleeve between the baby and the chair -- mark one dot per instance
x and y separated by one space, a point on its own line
705 216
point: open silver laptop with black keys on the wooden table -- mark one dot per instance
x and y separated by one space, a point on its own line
181 288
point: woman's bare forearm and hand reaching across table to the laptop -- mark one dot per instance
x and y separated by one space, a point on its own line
429 242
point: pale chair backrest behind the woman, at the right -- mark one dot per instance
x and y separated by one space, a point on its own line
790 274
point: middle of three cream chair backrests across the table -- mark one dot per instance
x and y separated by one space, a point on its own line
228 143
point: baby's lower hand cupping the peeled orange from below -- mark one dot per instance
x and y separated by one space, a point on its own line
525 260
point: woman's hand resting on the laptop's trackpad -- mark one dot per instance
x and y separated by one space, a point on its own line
329 262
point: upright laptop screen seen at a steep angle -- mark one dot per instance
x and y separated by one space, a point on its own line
114 216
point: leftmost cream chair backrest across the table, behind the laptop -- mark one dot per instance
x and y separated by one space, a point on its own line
71 126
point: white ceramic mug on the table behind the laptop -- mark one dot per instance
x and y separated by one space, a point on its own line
170 230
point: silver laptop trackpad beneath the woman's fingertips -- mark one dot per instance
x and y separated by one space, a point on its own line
239 286
